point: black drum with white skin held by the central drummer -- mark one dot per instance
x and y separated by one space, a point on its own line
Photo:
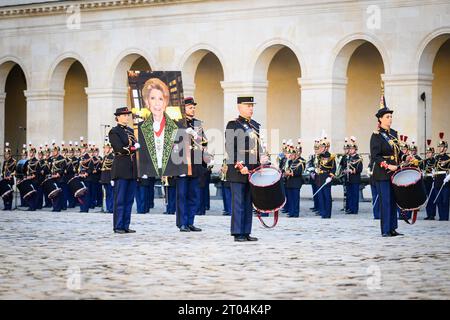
266 189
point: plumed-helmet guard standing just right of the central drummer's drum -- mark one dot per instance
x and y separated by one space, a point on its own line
295 166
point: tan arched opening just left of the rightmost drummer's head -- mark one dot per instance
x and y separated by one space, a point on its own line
363 93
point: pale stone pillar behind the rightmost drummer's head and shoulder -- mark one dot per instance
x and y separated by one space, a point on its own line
402 92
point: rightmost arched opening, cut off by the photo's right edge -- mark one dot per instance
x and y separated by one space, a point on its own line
441 92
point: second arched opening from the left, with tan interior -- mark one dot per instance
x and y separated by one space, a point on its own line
75 103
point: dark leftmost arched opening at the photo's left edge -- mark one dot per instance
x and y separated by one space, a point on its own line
15 109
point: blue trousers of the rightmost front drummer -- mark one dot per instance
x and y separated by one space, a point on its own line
388 207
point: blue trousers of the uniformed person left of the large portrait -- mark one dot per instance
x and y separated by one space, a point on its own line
123 202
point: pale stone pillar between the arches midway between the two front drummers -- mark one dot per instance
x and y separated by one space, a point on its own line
323 108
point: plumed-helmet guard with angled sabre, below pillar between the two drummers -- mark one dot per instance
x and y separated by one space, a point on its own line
326 168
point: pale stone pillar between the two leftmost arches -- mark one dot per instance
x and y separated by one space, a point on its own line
45 115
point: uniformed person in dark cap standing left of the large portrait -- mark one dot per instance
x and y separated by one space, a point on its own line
124 172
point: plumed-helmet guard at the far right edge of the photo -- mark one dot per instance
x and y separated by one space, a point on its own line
441 183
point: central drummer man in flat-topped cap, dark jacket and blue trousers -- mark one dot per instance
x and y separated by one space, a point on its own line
243 147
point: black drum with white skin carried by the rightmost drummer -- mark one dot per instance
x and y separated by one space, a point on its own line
409 189
